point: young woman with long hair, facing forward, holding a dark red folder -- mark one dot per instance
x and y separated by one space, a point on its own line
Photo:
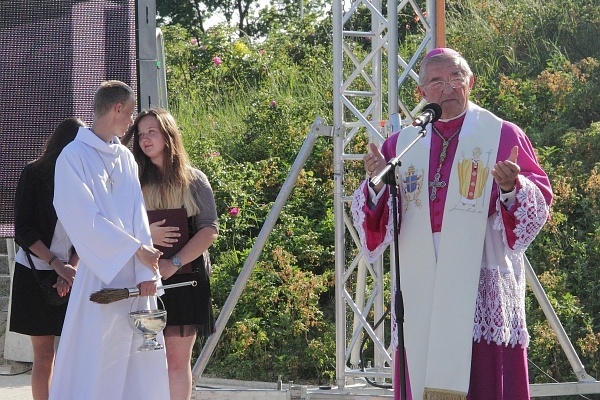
170 182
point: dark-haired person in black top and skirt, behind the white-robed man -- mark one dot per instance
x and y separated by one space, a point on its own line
39 233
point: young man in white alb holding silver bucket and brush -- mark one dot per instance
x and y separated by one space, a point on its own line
99 202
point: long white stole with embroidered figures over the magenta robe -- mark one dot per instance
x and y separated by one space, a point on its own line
440 295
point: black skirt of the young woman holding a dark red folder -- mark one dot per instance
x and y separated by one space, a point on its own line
190 306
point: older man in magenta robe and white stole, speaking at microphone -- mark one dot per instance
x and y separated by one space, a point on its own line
463 232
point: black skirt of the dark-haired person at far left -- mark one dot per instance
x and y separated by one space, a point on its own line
29 314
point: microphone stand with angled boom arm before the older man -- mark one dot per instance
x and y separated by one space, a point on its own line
387 176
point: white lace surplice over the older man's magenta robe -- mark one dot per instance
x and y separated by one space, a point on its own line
499 312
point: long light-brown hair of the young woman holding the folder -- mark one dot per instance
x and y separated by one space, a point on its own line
169 187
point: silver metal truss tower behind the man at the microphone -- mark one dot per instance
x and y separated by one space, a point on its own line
358 109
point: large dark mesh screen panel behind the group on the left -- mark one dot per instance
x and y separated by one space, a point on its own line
54 54
